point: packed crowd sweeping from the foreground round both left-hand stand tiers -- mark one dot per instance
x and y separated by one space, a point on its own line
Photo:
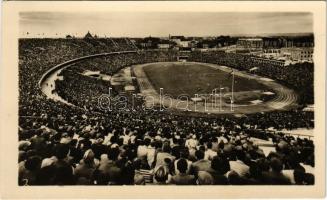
73 145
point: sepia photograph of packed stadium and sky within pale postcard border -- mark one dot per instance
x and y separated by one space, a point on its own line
167 98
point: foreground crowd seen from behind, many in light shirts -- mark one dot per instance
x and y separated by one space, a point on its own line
152 148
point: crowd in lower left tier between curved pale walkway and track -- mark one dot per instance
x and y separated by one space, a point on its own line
85 91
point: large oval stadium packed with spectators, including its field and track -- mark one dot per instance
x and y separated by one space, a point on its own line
195 118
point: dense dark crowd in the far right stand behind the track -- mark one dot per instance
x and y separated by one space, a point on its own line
298 76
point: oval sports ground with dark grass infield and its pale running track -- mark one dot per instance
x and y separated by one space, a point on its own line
251 93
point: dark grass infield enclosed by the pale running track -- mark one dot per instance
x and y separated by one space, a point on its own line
190 79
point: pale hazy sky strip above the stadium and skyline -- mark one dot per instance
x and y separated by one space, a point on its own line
161 24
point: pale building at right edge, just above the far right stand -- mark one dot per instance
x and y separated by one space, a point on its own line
298 53
